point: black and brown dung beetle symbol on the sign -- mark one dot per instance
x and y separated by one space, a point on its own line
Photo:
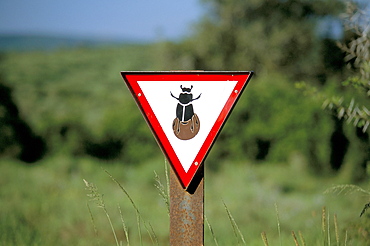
186 124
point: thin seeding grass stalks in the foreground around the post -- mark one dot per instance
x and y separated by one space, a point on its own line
329 223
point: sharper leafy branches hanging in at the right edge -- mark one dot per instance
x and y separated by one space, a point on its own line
357 51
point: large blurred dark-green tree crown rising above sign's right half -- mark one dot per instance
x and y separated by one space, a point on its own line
265 35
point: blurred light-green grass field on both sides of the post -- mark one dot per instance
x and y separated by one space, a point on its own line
45 204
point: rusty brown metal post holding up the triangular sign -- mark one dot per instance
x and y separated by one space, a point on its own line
187 211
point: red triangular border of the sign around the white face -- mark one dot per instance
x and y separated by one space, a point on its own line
131 78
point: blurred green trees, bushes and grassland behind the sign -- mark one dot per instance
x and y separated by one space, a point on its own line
66 112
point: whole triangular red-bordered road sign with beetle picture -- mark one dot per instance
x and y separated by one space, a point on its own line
186 111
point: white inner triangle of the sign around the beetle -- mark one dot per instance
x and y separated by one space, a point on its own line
208 100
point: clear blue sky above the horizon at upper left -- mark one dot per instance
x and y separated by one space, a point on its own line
126 19
